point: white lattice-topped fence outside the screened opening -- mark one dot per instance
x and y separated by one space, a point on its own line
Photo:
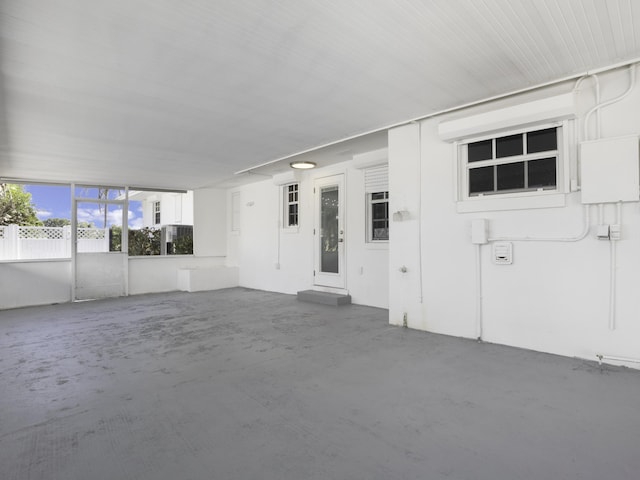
23 243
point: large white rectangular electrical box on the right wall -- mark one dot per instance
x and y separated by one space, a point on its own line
609 170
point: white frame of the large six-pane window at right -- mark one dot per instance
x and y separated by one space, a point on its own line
520 199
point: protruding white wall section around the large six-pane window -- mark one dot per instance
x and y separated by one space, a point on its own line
555 296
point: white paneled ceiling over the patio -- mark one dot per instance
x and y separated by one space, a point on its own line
182 94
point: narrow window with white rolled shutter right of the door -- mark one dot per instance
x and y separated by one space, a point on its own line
376 185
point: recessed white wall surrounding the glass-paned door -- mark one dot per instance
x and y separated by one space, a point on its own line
260 246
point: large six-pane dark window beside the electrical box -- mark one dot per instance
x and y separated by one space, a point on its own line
526 161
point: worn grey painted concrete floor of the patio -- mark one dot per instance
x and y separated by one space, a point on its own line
242 384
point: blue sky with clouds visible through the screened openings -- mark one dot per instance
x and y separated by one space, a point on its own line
55 202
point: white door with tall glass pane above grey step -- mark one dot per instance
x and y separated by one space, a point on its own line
329 233
